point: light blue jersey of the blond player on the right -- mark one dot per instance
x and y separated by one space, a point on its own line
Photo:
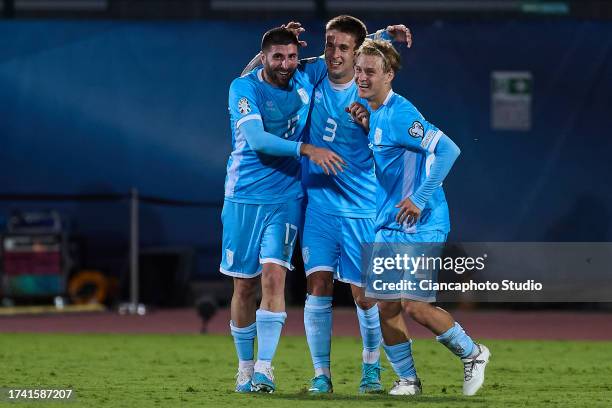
404 143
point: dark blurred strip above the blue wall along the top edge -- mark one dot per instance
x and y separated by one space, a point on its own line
257 9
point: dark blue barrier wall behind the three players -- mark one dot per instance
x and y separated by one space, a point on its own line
100 107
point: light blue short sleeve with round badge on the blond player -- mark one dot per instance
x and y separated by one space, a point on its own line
409 129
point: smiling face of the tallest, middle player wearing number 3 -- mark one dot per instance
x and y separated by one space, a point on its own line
340 55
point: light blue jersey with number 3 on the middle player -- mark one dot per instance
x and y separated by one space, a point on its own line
350 193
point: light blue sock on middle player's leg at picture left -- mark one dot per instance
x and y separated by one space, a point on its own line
318 325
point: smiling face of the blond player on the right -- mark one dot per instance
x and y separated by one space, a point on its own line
373 82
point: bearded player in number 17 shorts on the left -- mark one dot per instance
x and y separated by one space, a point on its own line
262 207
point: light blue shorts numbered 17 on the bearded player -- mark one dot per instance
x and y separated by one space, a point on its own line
255 234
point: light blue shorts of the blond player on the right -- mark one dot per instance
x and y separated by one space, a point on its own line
399 242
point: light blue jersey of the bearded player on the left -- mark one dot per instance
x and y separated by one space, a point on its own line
256 178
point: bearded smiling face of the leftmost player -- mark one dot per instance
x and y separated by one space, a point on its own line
279 63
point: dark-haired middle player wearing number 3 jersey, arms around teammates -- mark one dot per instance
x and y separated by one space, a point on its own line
341 209
